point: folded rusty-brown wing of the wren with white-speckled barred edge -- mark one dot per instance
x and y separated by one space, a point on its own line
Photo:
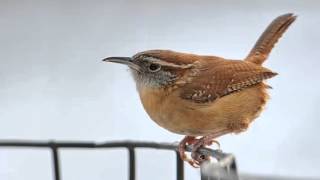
223 78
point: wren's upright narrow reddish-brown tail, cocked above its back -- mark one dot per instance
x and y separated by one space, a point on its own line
269 38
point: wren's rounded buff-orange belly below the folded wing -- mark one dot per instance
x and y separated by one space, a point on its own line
233 112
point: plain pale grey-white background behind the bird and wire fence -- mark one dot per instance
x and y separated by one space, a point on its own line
53 85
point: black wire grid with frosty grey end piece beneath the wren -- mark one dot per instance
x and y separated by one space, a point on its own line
224 169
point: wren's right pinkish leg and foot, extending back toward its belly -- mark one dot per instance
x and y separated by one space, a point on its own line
205 141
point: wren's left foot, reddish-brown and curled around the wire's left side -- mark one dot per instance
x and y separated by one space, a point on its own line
187 140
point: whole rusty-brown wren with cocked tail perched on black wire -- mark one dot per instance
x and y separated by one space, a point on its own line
207 96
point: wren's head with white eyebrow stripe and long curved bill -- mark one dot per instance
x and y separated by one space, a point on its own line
157 68
